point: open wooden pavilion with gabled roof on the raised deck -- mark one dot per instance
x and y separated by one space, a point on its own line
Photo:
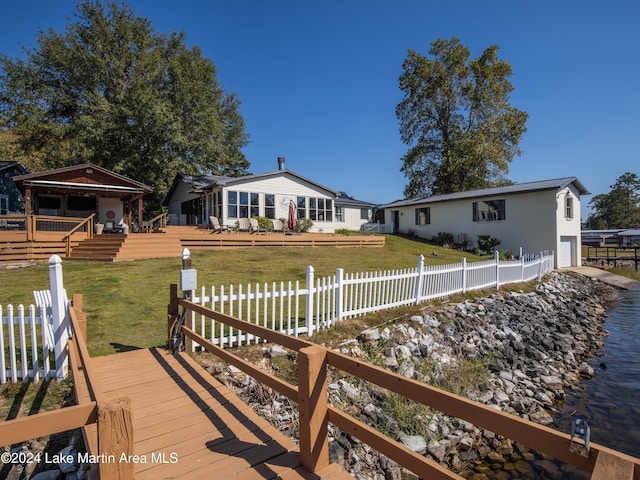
83 190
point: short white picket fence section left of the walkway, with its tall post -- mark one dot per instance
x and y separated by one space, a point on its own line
33 340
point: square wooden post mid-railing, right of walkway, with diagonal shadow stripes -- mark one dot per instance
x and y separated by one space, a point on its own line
312 406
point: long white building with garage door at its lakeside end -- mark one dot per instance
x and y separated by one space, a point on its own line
537 216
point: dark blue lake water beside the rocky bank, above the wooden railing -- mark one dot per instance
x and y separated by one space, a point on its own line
610 402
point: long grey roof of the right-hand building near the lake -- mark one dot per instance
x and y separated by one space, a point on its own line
554 184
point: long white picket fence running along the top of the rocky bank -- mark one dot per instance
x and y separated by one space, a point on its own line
294 309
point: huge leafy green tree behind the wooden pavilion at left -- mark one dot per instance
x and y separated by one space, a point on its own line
111 91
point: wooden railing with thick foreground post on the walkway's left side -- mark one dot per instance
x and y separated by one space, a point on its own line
106 424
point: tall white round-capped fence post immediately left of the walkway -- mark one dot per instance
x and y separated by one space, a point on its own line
59 317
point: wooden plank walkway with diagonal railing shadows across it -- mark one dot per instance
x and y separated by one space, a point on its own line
189 425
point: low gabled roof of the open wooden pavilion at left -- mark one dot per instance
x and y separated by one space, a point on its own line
83 178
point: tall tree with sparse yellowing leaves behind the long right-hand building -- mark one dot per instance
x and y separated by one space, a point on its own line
455 115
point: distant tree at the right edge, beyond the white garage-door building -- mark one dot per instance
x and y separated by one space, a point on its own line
620 208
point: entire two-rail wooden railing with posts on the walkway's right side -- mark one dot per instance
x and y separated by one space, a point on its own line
311 396
